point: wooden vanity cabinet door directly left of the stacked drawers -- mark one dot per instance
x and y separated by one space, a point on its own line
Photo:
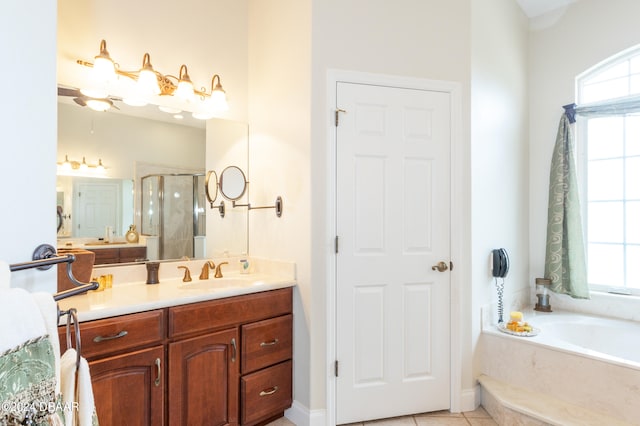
203 380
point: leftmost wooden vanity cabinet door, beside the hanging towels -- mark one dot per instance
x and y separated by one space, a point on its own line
129 389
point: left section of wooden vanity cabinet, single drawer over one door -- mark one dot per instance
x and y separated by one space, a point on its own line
126 358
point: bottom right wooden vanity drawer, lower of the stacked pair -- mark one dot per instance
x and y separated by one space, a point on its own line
265 393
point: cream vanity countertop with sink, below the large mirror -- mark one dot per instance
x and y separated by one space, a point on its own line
131 294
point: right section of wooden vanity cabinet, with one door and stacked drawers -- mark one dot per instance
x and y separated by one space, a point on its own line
259 317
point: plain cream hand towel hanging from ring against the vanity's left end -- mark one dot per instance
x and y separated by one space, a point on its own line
80 403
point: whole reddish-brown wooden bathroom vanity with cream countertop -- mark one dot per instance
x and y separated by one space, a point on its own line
202 355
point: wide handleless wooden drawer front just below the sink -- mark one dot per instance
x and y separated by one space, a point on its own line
198 318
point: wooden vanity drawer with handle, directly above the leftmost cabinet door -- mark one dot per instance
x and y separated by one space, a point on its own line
117 334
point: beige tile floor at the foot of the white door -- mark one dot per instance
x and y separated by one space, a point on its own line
477 417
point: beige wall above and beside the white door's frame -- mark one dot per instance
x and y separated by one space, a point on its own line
415 38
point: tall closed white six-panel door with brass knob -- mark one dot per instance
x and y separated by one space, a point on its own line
393 225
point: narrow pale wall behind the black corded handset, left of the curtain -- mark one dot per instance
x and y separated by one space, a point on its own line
499 159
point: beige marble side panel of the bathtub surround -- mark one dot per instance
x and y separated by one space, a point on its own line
610 389
